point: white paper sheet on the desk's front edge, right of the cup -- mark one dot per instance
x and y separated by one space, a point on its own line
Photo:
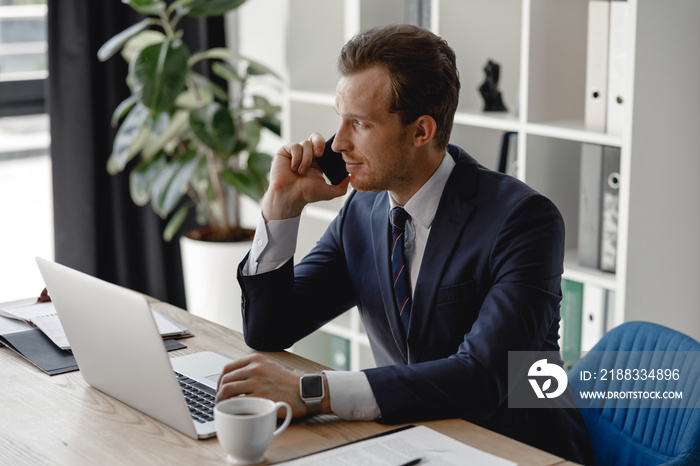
403 447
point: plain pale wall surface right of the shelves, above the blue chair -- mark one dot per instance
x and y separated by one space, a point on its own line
666 158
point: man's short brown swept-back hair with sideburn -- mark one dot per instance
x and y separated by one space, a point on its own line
421 67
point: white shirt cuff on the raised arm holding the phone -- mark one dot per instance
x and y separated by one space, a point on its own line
273 245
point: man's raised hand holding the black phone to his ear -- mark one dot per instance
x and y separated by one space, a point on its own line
296 180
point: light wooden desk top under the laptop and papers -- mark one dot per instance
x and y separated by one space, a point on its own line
61 420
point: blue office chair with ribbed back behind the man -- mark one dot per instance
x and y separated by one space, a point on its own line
624 431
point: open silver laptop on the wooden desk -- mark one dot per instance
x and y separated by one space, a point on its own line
119 351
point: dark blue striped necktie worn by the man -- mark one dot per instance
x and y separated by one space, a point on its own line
399 271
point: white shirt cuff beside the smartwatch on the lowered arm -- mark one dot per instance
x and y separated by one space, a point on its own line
351 396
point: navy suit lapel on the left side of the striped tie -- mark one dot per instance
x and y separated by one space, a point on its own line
380 241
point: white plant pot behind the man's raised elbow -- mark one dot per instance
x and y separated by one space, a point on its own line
209 271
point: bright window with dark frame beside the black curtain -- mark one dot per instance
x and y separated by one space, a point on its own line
25 164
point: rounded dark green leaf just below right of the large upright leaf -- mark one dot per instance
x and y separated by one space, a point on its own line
214 127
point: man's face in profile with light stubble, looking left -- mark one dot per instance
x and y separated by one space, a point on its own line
376 147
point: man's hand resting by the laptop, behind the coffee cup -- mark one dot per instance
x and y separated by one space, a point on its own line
257 375
